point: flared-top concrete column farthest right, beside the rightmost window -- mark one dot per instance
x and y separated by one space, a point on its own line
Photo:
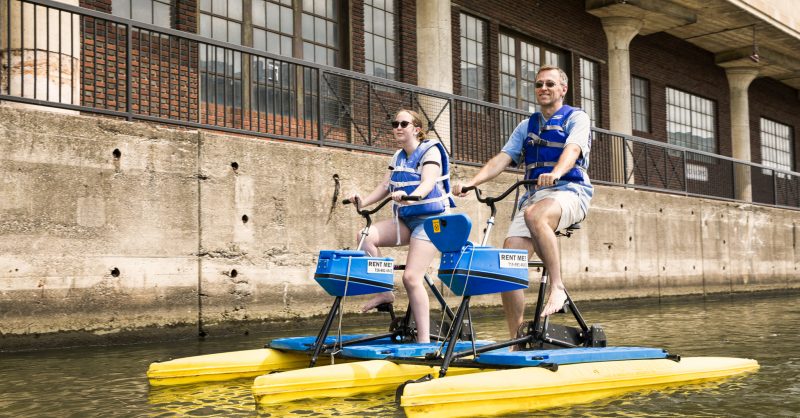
739 80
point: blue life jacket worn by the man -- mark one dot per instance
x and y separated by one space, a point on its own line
544 145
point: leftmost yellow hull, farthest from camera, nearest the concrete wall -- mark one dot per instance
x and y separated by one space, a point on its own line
224 366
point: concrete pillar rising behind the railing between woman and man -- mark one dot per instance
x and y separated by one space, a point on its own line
435 62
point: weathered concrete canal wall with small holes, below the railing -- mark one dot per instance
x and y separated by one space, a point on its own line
112 230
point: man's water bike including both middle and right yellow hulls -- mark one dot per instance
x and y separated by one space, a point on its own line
565 359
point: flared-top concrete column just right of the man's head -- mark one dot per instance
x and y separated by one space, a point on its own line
619 33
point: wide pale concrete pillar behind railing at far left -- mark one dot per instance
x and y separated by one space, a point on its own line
41 58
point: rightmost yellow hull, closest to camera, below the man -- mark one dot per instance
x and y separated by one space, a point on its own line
533 388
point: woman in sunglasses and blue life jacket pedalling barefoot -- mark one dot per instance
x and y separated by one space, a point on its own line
419 168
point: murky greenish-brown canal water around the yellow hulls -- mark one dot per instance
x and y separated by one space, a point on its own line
111 382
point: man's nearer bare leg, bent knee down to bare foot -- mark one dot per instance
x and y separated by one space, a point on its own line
542 219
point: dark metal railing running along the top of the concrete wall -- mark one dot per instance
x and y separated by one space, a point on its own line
56 55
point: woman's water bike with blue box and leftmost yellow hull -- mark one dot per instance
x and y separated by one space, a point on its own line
341 273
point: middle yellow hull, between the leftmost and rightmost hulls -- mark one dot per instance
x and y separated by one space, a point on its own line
340 380
